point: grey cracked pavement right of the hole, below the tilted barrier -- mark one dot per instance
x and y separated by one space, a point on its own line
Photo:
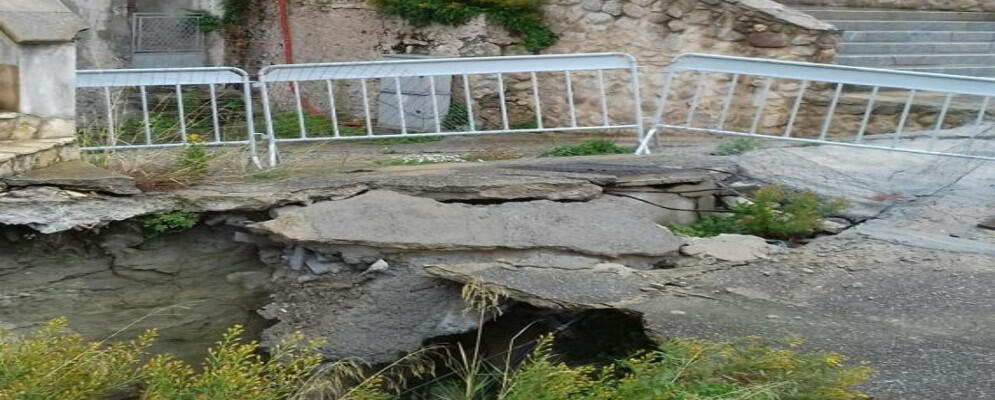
911 290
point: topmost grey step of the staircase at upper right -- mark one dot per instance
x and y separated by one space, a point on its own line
851 14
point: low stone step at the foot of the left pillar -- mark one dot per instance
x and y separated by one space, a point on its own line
19 156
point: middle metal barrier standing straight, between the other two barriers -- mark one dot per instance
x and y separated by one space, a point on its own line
543 93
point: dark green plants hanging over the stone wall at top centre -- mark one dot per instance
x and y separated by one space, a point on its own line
522 18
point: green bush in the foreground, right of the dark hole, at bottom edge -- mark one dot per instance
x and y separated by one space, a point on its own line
748 369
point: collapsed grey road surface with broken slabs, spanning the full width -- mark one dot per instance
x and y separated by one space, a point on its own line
373 261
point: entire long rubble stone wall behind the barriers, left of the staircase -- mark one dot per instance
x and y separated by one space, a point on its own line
654 31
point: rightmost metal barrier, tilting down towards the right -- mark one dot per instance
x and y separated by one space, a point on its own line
717 88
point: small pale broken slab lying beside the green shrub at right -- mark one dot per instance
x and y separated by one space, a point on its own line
730 247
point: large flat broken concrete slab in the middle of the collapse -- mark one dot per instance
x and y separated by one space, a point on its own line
608 226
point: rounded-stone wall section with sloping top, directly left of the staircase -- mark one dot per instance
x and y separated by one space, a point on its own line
657 31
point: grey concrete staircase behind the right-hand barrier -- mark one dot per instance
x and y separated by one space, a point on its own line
947 42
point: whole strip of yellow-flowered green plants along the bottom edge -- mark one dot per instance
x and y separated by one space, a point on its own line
53 364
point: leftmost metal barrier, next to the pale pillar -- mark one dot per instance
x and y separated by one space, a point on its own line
174 107
